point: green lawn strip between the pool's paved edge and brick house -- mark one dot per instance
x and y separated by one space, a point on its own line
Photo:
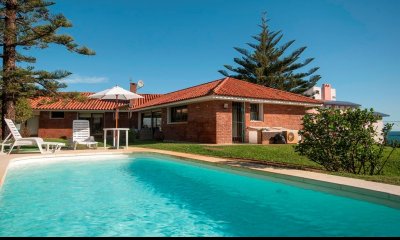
283 155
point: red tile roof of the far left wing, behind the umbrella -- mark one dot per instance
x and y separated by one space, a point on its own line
88 104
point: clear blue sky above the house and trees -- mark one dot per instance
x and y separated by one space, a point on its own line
176 44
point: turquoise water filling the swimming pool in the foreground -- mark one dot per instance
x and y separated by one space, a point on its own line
153 195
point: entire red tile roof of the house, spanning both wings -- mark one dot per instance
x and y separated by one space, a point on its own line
229 87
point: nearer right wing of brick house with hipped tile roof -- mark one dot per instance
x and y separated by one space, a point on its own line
222 111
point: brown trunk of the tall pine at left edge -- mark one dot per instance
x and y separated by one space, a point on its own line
9 59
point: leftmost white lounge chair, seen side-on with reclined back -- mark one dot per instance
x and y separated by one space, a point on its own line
18 141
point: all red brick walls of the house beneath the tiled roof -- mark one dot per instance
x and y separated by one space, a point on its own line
208 122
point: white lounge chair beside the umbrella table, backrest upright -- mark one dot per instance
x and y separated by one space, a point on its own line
81 134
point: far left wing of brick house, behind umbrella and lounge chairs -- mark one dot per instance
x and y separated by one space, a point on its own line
54 119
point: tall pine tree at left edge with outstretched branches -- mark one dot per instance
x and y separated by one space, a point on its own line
27 24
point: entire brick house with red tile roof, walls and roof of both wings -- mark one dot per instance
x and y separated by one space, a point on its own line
208 122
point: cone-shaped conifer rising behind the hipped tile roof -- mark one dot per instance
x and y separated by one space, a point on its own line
268 65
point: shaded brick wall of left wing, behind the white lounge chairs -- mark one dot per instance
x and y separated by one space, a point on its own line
56 128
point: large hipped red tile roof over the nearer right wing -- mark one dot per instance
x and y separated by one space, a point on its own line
230 87
